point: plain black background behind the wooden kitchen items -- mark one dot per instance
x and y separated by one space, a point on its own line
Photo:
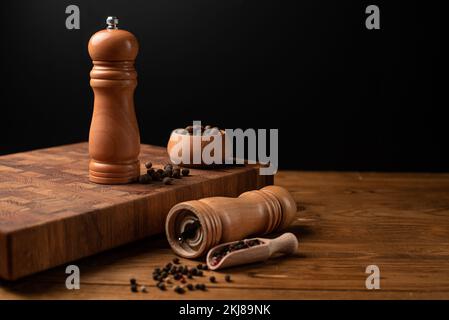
343 97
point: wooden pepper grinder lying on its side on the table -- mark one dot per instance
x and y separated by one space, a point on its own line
194 227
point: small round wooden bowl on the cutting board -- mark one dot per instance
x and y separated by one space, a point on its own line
194 144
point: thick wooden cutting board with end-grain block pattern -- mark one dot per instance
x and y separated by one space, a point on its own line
51 214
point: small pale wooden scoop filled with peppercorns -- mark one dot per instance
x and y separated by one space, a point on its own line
286 244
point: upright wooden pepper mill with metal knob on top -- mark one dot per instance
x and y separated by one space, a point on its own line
114 140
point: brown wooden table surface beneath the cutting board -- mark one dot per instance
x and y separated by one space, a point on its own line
346 221
